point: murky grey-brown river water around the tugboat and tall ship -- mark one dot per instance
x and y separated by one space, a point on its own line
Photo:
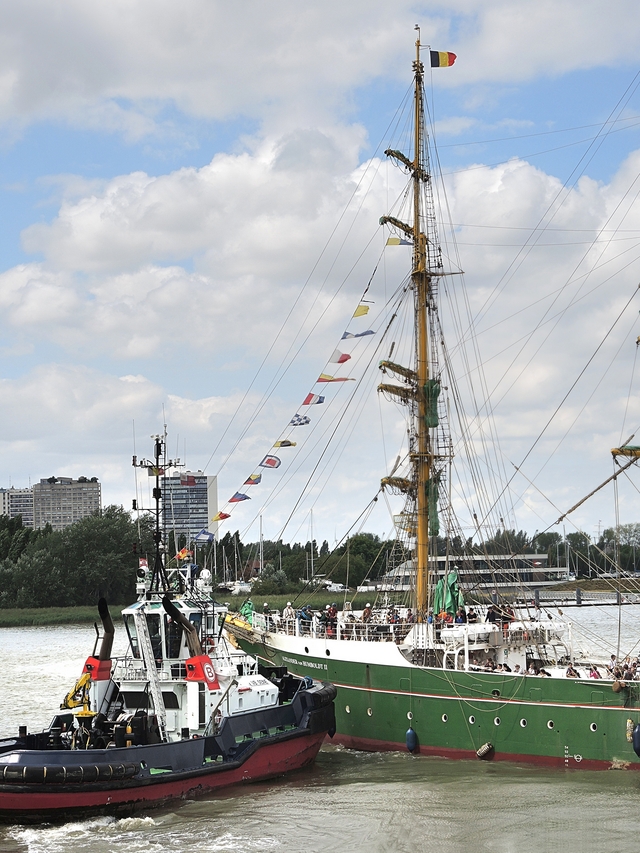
349 801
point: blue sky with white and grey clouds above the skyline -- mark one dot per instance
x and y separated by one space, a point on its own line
189 206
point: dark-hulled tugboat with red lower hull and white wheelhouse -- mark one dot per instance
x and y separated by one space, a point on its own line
181 714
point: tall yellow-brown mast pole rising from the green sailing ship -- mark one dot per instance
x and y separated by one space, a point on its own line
421 281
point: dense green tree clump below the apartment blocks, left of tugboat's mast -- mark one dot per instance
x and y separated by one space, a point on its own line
94 557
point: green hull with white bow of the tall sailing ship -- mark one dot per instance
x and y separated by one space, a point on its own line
562 723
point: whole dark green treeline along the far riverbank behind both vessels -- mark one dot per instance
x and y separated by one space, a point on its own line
98 556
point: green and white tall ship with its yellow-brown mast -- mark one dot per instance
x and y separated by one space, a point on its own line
436 678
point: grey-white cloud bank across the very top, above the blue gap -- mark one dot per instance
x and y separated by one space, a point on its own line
112 65
